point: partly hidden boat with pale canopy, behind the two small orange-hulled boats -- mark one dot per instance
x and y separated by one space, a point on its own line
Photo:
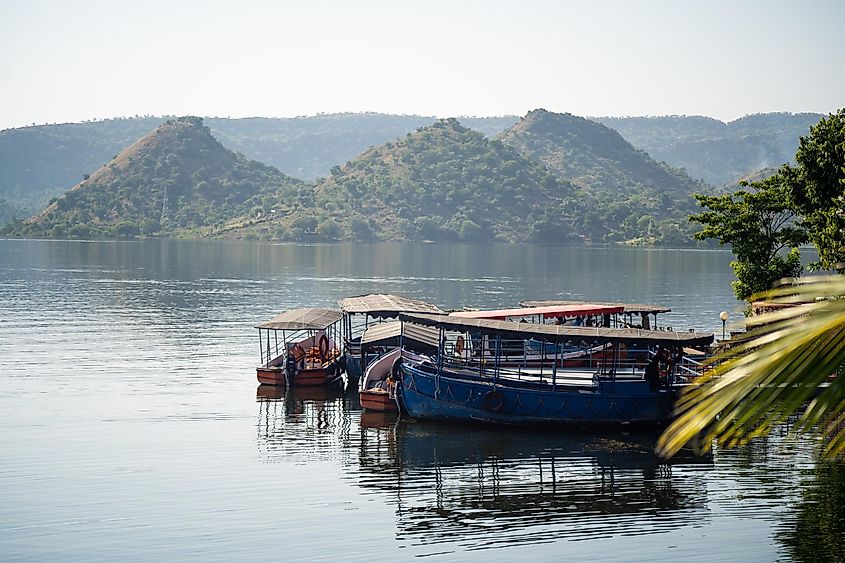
361 312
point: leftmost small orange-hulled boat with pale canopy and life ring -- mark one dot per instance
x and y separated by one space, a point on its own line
308 353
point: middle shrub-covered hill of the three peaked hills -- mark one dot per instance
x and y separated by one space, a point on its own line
442 182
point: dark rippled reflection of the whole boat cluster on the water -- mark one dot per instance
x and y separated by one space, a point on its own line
471 488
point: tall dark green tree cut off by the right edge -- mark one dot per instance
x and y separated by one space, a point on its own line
817 188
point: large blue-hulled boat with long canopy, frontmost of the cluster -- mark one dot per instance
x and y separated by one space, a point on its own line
441 386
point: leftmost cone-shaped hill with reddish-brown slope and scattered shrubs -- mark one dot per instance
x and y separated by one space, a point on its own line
176 179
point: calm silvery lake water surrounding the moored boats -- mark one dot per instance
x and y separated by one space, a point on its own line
132 425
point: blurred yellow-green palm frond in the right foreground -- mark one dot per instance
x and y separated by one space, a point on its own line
783 366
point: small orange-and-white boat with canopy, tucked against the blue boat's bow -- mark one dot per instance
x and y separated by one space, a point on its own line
380 343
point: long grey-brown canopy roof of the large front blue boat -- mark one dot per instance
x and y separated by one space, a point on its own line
558 333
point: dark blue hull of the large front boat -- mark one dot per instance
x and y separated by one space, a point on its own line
464 399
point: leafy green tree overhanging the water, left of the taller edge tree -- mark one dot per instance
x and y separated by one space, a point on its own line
759 225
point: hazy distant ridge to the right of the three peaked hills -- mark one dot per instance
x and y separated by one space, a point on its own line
717 152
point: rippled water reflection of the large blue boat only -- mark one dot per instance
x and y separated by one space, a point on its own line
455 485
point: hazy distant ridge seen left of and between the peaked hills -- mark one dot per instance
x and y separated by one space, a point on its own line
42 162
